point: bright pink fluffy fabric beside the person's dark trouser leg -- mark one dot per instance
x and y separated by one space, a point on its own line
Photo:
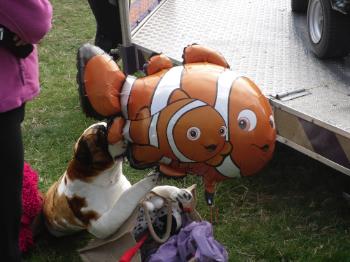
31 206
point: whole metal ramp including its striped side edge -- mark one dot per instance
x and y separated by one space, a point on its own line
263 40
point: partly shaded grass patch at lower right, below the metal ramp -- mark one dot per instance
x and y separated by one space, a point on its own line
293 210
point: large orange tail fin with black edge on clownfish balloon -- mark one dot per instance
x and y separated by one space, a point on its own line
99 82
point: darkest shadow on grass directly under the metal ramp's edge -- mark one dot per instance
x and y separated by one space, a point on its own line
293 179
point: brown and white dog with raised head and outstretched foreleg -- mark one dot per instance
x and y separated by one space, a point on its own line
93 194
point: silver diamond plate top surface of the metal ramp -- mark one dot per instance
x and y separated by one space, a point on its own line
261 39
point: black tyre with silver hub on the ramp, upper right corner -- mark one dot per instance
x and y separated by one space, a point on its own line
329 30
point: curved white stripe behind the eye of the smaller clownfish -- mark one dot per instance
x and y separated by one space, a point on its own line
171 124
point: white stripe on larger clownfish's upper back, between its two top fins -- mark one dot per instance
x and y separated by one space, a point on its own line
170 81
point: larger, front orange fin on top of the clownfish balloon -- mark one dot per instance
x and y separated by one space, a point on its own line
197 53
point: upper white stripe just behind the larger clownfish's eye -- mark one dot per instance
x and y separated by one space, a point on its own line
224 85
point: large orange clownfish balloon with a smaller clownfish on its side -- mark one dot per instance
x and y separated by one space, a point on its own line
198 118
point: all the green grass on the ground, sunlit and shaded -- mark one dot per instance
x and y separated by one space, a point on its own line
293 210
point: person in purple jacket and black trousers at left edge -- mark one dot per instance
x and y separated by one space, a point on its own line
23 23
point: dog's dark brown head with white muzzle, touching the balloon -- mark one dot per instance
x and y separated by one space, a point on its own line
92 154
